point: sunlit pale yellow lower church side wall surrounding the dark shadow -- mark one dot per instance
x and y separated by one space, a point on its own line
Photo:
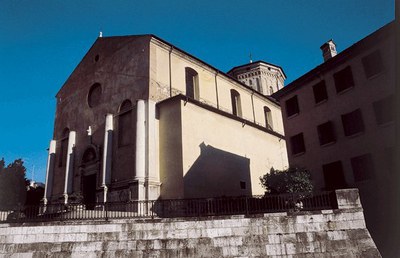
262 149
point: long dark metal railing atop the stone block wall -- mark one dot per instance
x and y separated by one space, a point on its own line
177 208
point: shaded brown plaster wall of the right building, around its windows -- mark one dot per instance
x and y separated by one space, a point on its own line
377 140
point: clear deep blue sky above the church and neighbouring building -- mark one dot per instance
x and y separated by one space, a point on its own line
42 41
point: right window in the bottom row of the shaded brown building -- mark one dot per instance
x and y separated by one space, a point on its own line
363 167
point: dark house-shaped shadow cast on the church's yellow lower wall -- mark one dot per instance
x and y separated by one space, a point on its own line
217 173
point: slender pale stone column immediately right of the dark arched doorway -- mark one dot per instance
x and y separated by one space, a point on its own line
107 154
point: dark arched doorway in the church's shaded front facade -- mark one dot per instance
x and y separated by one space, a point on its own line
90 168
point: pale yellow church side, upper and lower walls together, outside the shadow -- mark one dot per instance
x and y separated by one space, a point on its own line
185 127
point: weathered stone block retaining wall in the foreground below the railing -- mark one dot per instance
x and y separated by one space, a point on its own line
326 233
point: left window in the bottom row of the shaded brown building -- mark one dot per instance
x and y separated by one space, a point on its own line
334 176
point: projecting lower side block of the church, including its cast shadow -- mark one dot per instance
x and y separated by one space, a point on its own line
206 154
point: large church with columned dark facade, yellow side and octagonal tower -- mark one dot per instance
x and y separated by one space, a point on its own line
140 119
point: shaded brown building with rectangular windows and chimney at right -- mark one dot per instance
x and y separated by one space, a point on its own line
339 123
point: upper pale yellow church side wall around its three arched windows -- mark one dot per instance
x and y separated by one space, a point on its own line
210 82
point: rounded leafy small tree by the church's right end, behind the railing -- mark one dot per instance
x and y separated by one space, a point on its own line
291 180
